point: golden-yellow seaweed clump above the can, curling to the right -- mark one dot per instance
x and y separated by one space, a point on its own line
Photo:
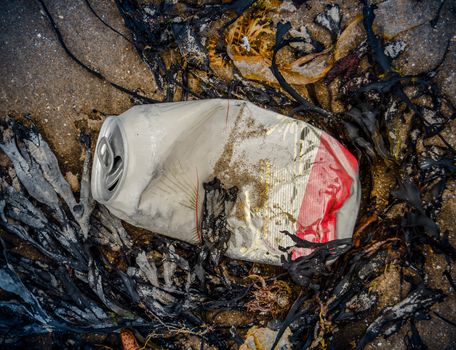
250 40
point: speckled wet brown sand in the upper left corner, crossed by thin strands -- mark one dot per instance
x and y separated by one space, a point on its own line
37 77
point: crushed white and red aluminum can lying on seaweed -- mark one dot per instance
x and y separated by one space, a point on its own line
152 160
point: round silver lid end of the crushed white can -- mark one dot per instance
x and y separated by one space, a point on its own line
109 161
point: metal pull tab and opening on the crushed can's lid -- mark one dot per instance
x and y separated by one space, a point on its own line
111 163
